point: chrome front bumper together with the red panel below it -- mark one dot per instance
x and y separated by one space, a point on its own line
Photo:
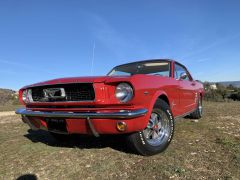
81 122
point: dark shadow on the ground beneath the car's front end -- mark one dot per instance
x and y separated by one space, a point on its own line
116 142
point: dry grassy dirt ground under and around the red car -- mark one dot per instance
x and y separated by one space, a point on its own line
204 149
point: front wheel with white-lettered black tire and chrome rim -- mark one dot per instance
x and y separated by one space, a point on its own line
144 145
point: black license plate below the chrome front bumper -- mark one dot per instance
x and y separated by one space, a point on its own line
56 124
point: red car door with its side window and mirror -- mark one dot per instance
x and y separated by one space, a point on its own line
186 88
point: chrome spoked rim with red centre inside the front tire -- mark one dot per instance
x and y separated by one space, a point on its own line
158 129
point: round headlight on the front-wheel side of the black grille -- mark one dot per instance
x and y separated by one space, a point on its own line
124 92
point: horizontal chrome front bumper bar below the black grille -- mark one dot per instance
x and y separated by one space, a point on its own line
123 114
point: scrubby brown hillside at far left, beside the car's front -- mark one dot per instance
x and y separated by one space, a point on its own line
8 97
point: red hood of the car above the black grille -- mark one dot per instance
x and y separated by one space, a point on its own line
90 79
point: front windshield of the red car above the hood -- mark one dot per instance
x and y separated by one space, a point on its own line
160 68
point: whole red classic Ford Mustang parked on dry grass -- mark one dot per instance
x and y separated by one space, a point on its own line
139 99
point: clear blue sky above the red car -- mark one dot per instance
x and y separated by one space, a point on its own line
41 40
